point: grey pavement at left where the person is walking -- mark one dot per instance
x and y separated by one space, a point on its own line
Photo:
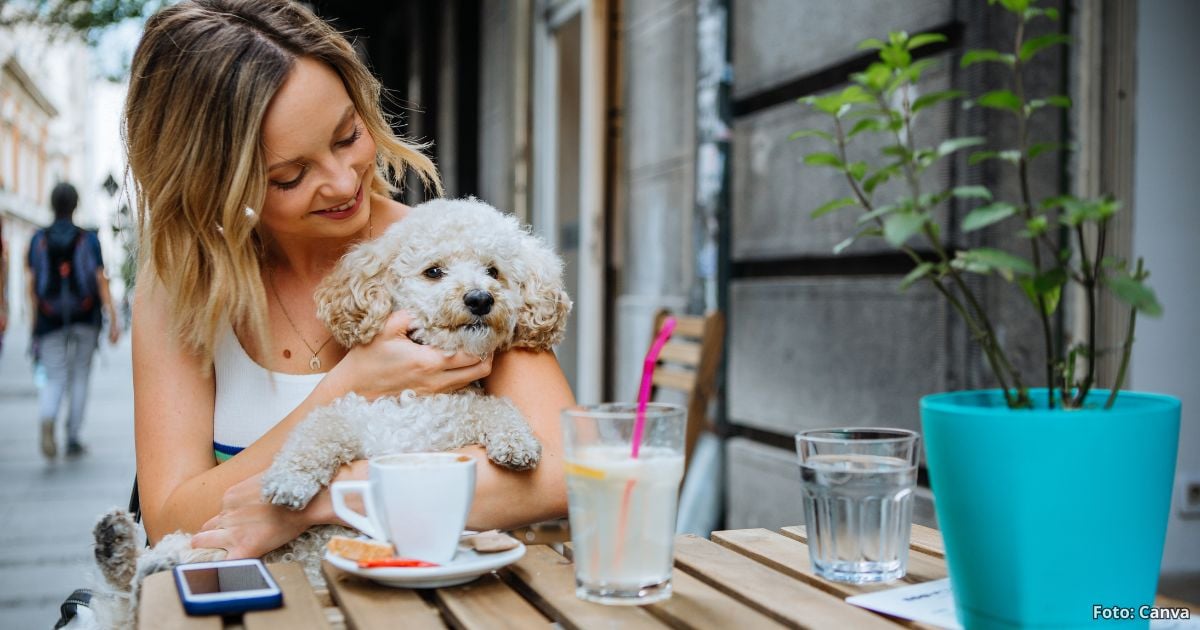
47 509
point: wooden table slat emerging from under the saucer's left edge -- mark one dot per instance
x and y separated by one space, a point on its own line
369 607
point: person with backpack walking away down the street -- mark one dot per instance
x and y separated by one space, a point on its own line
67 281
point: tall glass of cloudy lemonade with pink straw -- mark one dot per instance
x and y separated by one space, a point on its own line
623 509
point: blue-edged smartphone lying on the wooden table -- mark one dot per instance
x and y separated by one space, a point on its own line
227 587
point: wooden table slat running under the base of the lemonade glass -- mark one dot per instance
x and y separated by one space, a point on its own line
548 580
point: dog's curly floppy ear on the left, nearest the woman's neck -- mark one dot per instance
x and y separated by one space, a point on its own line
353 301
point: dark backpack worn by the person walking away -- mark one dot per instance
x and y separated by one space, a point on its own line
64 274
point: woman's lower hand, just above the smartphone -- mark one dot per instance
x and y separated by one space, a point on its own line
247 527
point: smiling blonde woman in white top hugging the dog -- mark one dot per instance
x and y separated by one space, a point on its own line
260 157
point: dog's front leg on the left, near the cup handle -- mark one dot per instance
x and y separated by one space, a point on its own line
314 453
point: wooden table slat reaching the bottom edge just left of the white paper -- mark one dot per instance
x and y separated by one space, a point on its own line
791 602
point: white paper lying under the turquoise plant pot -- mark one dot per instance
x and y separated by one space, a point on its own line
933 603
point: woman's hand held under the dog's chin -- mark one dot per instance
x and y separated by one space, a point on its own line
393 363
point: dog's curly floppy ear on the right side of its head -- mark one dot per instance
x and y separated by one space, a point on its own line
542 320
